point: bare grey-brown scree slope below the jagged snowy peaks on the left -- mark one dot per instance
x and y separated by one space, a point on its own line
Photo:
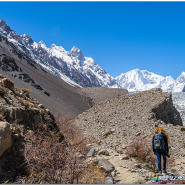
52 92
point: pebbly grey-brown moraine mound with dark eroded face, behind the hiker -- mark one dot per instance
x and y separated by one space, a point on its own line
115 122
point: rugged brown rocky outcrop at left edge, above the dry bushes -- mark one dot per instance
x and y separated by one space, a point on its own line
20 113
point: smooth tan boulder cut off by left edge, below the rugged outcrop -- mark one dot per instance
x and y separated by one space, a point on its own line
5 137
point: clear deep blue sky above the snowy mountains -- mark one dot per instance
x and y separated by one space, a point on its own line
119 36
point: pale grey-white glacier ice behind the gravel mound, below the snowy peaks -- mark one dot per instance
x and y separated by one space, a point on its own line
178 101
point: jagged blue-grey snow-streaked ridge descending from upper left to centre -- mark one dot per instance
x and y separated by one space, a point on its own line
71 66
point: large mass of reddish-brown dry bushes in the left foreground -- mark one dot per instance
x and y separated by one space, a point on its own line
51 161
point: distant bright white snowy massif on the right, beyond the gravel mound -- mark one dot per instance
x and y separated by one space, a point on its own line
140 80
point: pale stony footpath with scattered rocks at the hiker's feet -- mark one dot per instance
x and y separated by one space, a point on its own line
128 170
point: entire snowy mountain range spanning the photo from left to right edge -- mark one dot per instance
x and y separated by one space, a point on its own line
80 71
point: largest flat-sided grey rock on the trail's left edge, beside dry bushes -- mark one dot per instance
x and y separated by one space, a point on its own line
106 166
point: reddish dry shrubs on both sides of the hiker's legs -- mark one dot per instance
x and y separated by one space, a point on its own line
142 149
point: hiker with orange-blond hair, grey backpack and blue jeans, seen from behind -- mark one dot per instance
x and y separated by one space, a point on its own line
160 147
